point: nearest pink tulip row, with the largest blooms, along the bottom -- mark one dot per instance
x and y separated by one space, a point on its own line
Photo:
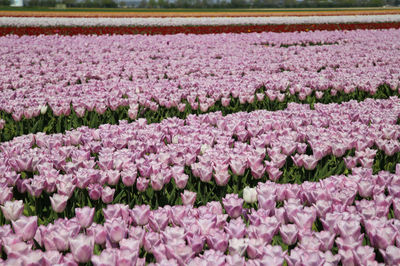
323 223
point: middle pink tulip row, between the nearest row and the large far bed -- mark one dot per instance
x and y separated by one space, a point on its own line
280 145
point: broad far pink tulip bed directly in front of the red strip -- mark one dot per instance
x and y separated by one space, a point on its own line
176 75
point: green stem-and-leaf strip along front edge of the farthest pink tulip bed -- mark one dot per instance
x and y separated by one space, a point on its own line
50 123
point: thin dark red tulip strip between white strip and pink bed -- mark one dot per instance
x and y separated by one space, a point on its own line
151 30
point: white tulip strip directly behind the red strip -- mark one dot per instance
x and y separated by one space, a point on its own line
185 21
